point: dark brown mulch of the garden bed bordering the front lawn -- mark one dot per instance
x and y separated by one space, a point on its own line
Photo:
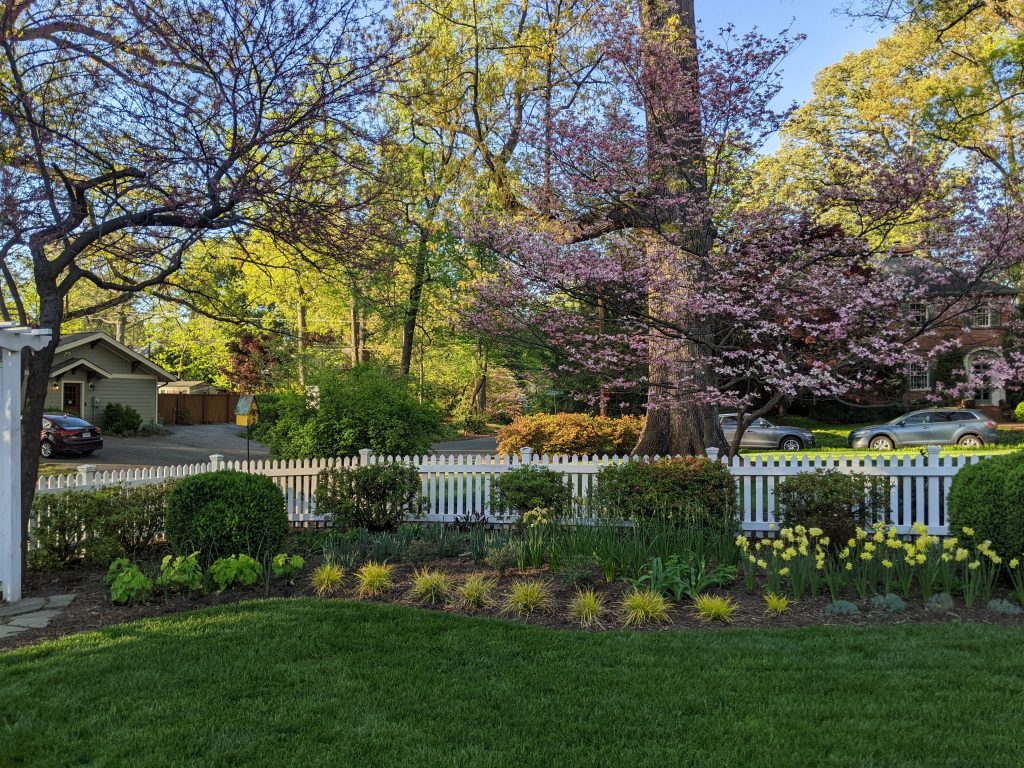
93 608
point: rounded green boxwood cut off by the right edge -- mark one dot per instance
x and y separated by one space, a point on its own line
990 498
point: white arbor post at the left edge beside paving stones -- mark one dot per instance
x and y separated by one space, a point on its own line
13 340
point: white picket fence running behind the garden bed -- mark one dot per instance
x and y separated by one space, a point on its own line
459 486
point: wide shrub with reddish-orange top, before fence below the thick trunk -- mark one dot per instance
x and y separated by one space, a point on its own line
688 490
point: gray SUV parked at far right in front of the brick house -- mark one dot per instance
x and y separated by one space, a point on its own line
931 428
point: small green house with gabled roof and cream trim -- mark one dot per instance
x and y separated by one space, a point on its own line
93 369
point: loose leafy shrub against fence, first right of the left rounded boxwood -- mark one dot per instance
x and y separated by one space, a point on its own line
377 497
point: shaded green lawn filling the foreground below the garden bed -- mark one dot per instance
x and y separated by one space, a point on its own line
332 684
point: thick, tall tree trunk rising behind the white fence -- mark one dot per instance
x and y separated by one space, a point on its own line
677 422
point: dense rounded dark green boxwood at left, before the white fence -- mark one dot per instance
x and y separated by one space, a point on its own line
227 514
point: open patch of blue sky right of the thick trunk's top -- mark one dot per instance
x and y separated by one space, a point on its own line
830 36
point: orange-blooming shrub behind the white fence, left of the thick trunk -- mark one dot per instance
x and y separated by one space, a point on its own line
571 434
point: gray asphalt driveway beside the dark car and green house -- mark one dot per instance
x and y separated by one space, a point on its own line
178 446
